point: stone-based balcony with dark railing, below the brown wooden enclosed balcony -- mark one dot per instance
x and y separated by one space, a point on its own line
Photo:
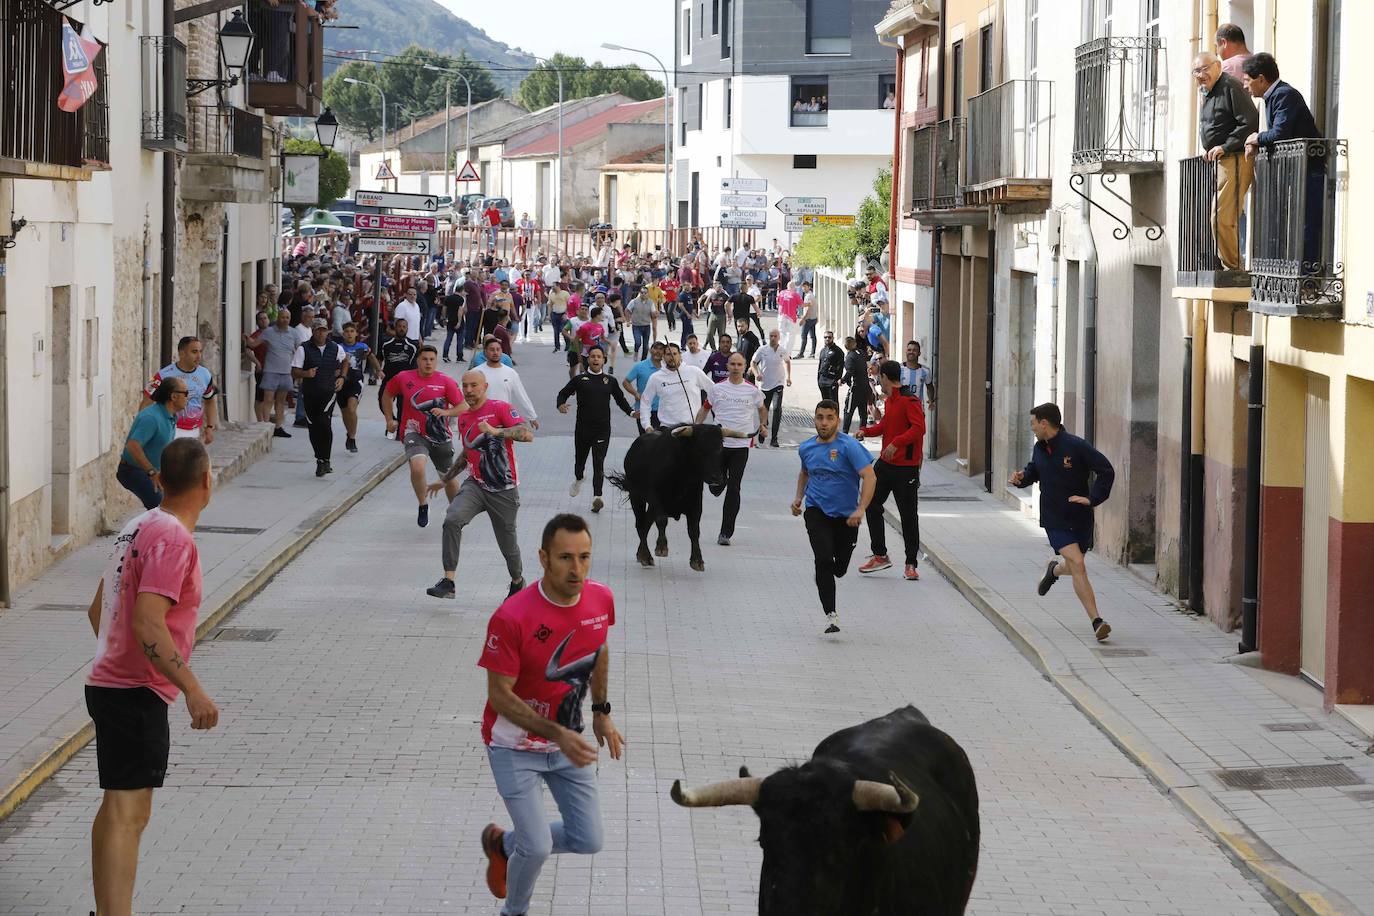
225 163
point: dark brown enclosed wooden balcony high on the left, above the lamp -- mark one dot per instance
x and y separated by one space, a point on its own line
286 67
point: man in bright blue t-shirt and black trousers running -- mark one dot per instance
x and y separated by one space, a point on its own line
835 488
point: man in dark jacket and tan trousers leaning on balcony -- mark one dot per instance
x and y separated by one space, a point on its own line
1226 120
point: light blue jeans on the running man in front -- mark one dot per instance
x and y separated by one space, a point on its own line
532 838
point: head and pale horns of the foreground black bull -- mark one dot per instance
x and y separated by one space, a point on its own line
832 843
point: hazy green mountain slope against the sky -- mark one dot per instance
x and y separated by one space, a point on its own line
390 28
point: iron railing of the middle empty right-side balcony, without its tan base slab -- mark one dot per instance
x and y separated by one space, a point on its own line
1011 133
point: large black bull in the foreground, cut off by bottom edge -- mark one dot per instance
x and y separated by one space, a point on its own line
883 821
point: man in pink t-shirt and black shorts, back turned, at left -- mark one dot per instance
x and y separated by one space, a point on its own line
144 616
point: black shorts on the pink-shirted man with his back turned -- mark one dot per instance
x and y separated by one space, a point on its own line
133 741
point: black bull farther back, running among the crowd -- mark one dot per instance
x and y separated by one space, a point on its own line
664 473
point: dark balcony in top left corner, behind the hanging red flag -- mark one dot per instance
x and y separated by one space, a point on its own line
38 141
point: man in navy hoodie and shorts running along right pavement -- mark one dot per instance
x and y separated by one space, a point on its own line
1074 479
